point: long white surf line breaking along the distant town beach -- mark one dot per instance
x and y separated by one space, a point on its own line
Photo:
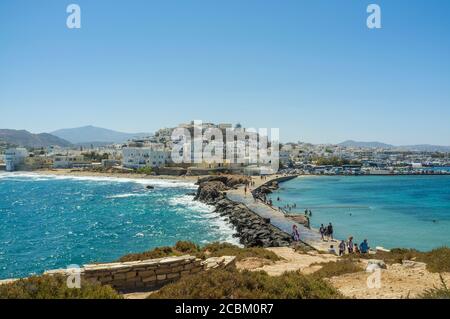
166 183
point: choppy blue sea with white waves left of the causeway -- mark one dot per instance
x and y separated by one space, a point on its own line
52 222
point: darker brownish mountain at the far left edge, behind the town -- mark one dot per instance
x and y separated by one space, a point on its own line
27 139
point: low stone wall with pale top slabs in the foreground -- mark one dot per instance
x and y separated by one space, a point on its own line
146 274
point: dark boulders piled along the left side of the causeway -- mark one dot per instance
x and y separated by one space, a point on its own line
252 230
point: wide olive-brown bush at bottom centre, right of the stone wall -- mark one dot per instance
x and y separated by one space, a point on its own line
232 284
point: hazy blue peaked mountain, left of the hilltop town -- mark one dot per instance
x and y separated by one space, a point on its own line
95 135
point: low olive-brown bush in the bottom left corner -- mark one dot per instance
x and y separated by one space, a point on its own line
54 287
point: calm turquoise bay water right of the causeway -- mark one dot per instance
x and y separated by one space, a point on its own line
390 211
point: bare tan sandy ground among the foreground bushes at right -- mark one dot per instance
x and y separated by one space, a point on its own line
396 282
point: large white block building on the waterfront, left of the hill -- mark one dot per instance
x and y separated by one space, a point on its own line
148 156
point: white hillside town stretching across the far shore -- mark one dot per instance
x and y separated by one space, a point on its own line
153 155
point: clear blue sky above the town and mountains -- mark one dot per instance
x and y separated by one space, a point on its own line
311 68
